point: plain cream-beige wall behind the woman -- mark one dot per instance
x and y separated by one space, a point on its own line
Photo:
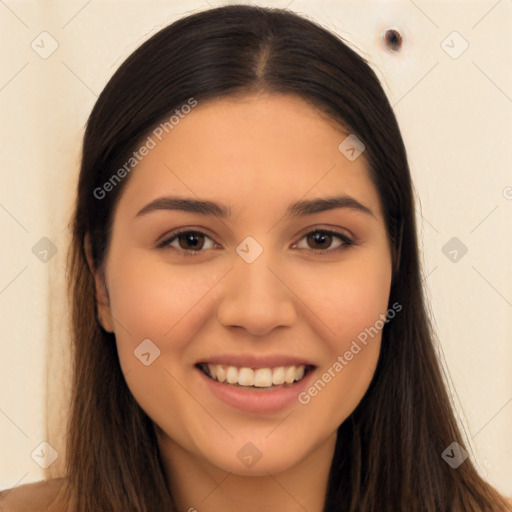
455 112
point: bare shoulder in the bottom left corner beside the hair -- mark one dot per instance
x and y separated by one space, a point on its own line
44 496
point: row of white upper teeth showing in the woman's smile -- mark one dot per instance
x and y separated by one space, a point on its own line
259 377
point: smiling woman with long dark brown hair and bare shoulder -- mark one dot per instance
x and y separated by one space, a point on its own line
223 359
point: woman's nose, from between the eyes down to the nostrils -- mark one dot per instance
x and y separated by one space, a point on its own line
256 297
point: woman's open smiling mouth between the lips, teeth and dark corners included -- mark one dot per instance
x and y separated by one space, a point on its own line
262 379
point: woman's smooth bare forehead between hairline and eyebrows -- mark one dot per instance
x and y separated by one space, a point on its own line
258 149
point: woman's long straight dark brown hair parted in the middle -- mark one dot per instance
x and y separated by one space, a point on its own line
388 452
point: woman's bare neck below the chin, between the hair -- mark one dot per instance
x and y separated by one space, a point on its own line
200 486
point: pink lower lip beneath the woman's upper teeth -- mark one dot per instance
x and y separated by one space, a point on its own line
257 401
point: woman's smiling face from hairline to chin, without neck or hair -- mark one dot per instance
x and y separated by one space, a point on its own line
250 293
